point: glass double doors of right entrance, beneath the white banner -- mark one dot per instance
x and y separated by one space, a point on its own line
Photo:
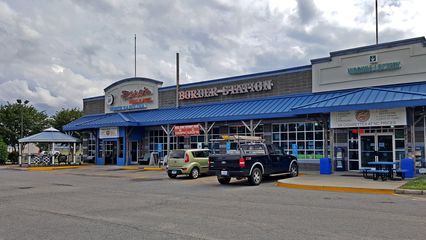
376 147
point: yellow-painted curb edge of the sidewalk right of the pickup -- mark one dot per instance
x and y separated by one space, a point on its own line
336 189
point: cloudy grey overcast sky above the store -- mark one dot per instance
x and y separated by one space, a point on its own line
54 53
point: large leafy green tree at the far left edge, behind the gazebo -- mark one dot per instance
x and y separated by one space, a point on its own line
12 116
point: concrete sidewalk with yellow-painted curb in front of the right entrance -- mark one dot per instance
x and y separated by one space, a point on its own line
341 182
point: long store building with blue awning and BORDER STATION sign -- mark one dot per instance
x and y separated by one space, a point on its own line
355 106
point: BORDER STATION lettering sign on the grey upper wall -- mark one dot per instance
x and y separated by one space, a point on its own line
258 86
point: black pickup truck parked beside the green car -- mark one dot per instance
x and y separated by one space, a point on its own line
252 161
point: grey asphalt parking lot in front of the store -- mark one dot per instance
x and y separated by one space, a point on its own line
108 203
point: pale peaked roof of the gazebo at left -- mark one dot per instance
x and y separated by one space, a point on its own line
50 135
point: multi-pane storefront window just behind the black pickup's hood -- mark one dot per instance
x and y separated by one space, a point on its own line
308 137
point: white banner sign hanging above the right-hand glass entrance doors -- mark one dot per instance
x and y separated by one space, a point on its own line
368 118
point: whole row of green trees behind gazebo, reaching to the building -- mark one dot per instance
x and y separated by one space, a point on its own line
21 120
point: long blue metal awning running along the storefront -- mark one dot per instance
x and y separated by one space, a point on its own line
407 95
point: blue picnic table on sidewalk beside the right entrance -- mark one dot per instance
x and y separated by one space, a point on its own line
384 170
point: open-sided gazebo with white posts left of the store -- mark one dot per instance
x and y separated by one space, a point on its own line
48 136
